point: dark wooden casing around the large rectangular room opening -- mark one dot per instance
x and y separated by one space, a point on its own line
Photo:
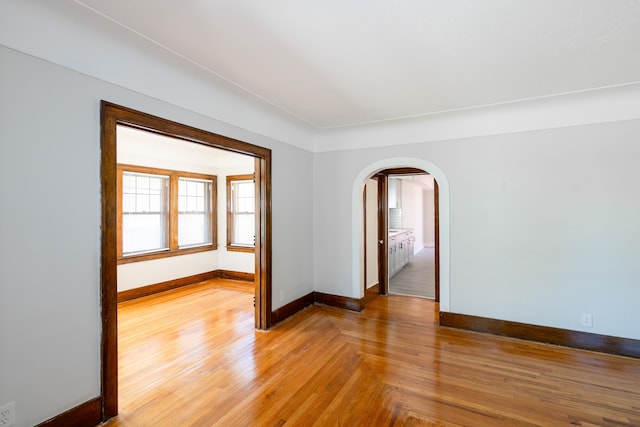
111 116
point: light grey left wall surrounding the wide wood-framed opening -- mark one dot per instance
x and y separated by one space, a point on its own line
50 246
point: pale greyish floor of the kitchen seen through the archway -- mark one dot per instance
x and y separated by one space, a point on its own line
418 277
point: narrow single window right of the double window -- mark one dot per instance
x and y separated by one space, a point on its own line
240 213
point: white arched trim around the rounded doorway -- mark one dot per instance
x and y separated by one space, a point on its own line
443 210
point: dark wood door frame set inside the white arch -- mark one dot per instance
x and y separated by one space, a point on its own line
383 231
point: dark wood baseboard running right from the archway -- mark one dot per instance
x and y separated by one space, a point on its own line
568 338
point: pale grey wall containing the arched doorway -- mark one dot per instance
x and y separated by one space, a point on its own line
543 225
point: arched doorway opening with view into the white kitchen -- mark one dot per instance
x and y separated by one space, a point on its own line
407 237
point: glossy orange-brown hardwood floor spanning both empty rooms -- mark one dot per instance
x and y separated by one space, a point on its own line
191 357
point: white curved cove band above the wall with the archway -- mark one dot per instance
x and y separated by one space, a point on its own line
612 104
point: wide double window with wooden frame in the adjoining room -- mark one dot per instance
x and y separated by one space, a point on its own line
164 213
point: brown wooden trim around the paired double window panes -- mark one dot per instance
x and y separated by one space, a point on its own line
174 249
